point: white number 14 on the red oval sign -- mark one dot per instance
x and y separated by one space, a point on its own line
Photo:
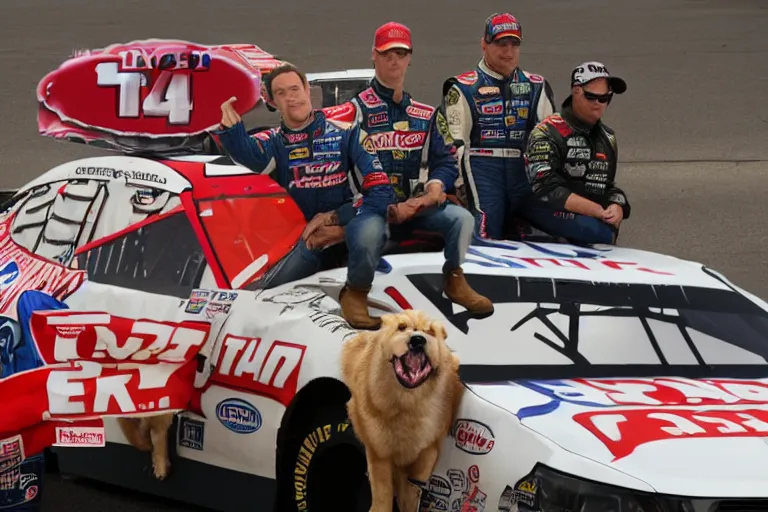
169 96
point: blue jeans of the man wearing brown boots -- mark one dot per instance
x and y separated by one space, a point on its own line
366 236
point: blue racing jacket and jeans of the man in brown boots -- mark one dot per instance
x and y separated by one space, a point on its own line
411 140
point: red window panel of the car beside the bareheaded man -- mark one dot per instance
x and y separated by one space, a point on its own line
249 233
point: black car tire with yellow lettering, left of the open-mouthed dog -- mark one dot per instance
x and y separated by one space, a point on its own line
324 465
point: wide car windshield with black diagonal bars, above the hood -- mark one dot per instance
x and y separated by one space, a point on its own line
559 328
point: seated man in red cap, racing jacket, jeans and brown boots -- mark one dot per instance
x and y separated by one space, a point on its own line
409 139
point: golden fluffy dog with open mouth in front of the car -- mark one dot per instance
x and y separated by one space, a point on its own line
405 392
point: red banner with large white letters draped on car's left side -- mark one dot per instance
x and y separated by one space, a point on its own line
98 365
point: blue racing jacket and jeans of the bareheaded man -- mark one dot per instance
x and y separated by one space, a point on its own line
323 167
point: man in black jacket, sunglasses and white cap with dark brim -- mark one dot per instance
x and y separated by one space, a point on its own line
572 157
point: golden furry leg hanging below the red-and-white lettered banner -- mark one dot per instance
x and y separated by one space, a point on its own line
150 434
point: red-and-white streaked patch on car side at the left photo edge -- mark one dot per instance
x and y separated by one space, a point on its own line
34 273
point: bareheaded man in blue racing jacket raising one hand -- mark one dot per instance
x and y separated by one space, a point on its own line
311 157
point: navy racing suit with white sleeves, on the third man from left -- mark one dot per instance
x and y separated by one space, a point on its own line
490 118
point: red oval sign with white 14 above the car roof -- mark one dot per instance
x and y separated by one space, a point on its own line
149 89
